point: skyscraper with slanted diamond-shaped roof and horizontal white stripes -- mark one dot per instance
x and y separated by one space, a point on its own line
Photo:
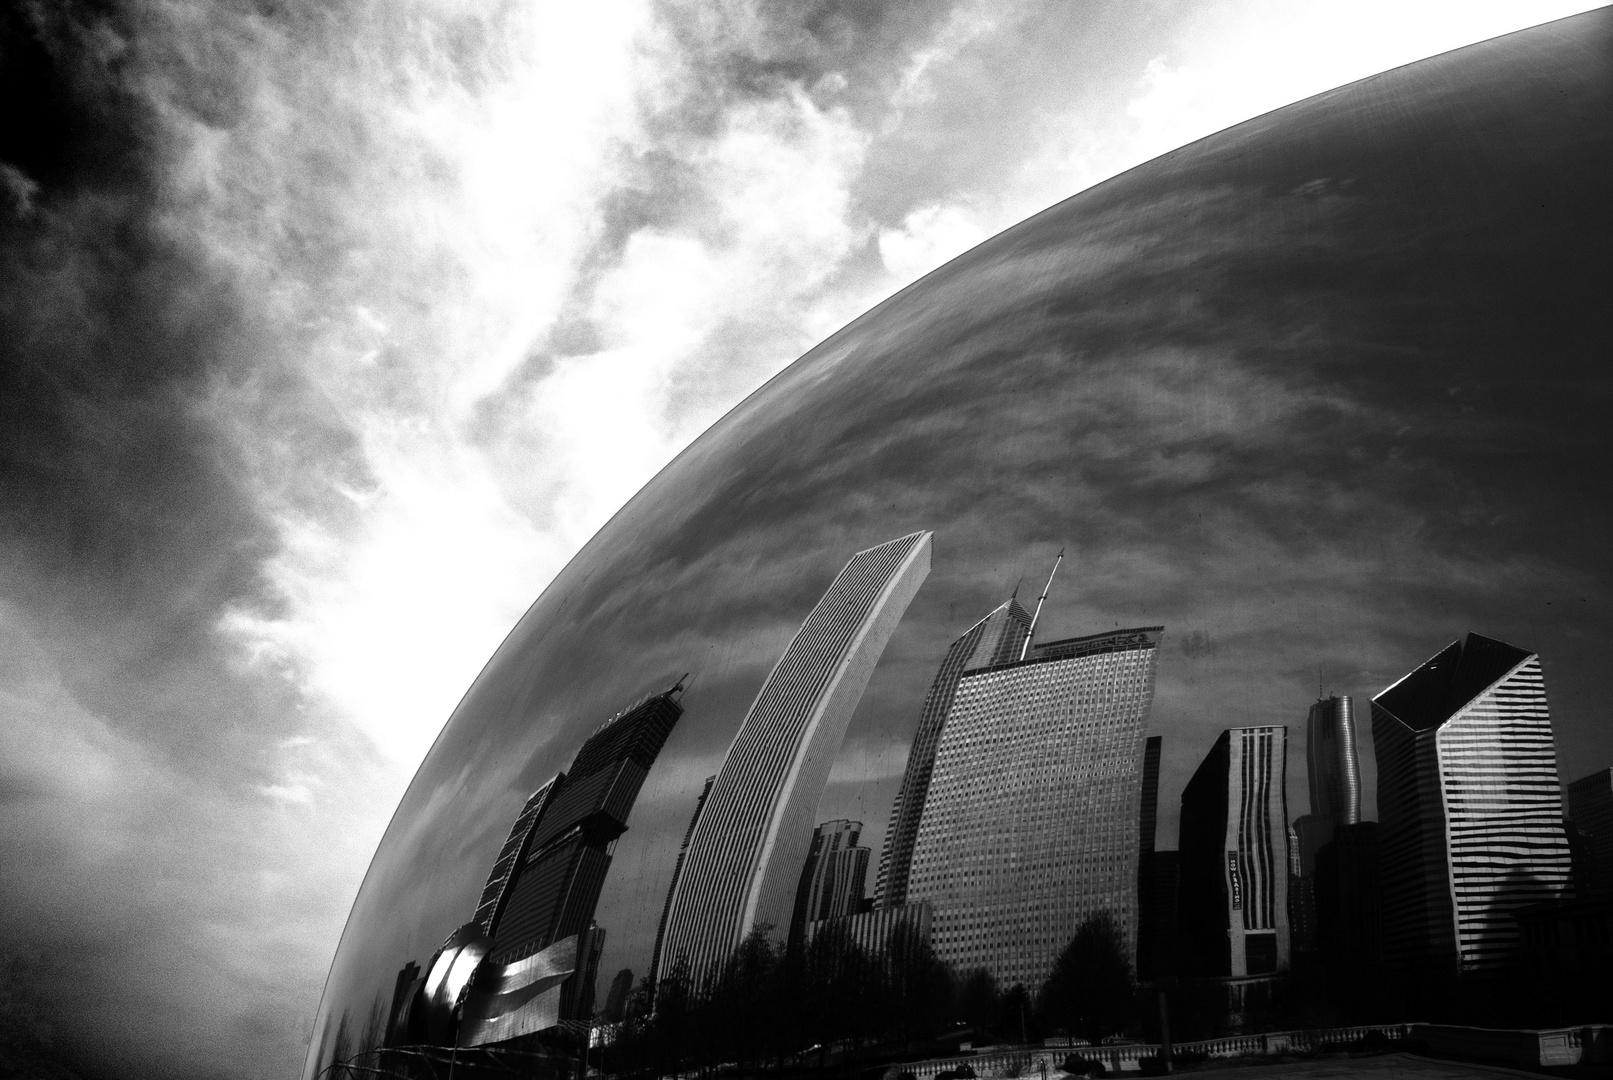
1472 815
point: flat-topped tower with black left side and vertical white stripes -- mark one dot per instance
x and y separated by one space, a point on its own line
1235 855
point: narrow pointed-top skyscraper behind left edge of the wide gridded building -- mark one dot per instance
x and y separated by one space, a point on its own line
998 639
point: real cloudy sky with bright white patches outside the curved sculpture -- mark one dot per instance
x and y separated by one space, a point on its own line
331 333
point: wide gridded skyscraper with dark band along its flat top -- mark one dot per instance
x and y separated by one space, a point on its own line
1032 823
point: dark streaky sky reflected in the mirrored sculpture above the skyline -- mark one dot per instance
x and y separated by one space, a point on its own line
1319 394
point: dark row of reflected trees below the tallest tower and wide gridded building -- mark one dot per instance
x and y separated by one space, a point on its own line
835 1003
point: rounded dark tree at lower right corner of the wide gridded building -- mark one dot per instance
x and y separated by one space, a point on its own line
1091 992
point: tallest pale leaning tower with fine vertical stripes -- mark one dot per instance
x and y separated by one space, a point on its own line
752 837
